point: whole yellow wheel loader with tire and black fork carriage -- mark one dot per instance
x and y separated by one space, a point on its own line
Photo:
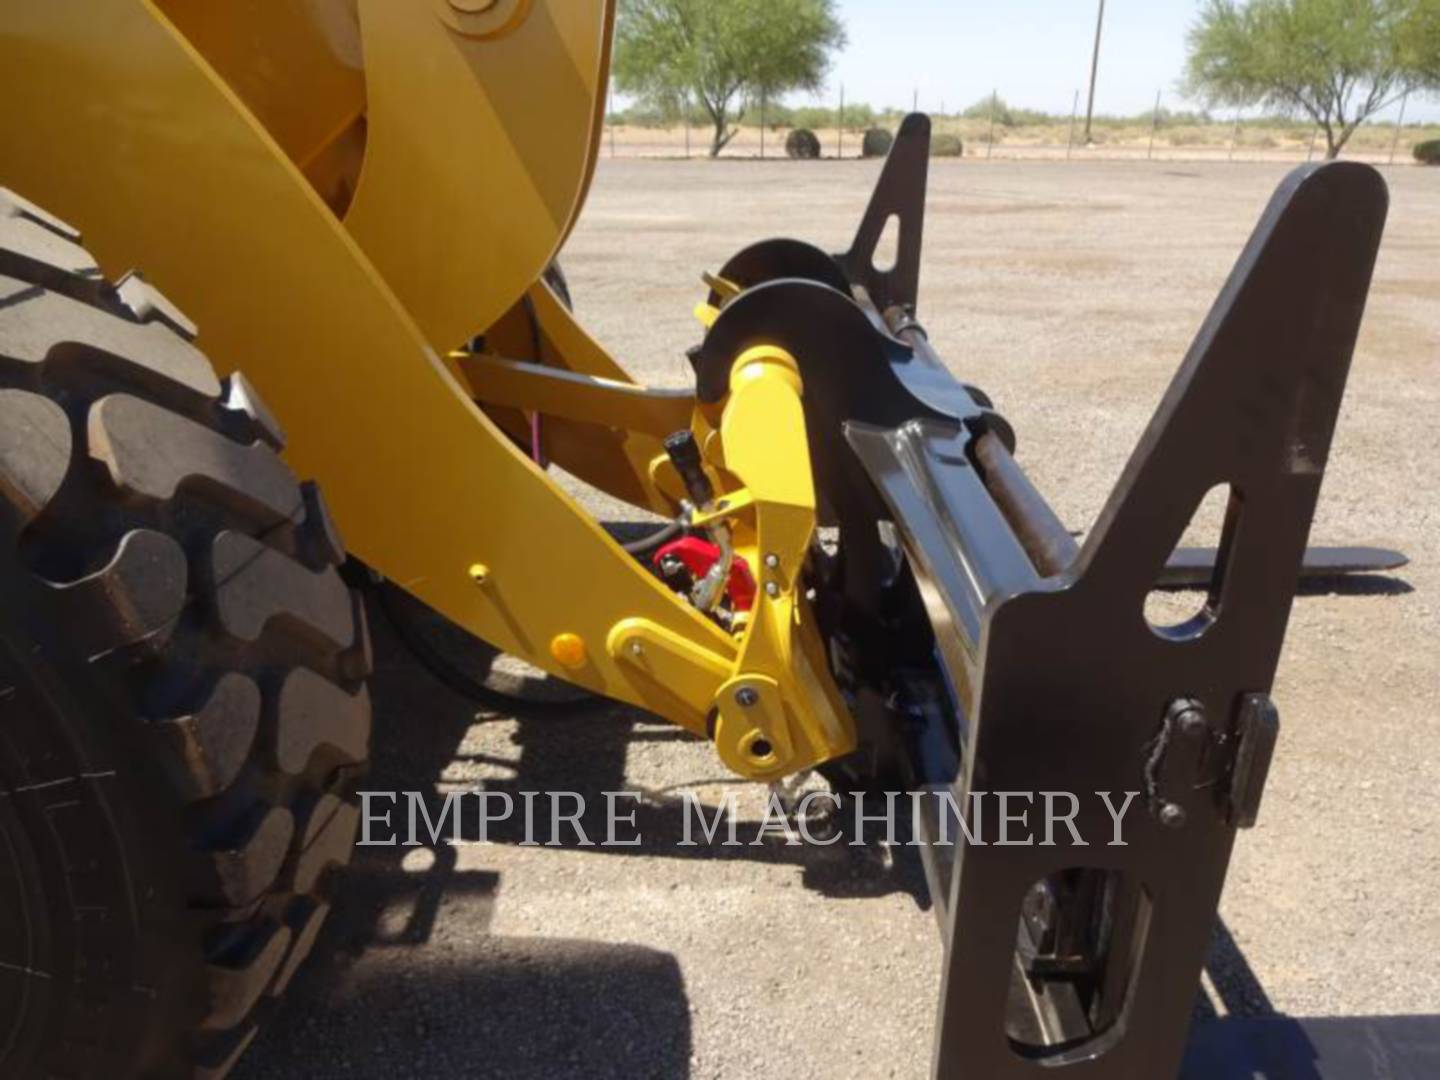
355 204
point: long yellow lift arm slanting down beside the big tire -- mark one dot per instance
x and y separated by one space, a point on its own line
119 126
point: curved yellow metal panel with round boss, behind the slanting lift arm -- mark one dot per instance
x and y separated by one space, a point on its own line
479 155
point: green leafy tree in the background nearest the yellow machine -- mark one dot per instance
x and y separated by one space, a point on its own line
726 54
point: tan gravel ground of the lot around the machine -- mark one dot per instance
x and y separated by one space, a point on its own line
1069 293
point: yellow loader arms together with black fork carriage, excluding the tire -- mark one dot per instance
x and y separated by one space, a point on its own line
957 639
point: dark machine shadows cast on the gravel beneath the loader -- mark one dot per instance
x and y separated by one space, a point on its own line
534 1007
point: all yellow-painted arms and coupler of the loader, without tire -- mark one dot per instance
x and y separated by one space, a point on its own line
343 195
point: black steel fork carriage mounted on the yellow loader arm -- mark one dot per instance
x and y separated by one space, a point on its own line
999 656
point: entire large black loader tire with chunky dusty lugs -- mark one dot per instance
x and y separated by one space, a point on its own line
184 712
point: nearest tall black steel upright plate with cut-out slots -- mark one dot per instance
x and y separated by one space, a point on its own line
1063 685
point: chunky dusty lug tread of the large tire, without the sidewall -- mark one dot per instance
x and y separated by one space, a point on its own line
210 585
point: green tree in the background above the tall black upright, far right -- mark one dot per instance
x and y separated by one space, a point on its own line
1337 61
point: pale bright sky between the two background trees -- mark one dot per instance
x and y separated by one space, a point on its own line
1035 53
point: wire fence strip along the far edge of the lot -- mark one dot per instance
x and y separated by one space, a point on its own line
1002 133
